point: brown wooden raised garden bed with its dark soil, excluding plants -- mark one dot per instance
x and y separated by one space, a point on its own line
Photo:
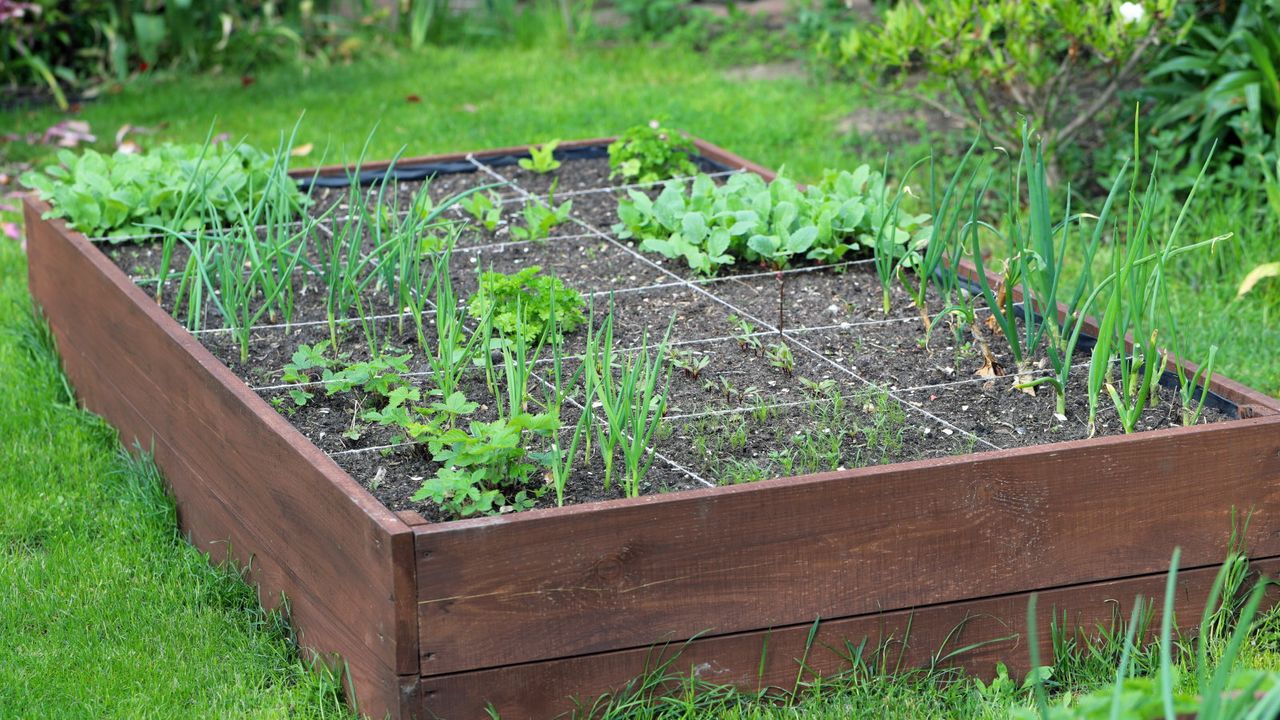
961 499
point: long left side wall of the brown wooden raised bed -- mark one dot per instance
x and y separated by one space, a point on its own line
248 485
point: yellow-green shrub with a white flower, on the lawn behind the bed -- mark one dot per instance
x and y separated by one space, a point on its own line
1060 63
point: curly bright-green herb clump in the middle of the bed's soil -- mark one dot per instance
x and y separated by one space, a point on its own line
520 306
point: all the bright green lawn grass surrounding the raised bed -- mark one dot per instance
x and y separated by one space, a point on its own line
112 616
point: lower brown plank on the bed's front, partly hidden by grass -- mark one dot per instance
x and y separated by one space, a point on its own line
912 639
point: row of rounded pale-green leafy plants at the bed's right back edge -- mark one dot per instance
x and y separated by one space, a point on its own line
747 220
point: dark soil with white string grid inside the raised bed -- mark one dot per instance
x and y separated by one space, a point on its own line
842 385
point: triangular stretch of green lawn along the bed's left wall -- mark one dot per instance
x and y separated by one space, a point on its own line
106 612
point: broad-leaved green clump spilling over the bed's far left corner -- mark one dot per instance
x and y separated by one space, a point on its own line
172 186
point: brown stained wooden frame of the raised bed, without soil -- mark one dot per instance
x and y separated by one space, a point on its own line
525 610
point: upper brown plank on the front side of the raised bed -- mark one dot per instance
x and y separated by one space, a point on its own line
575 581
